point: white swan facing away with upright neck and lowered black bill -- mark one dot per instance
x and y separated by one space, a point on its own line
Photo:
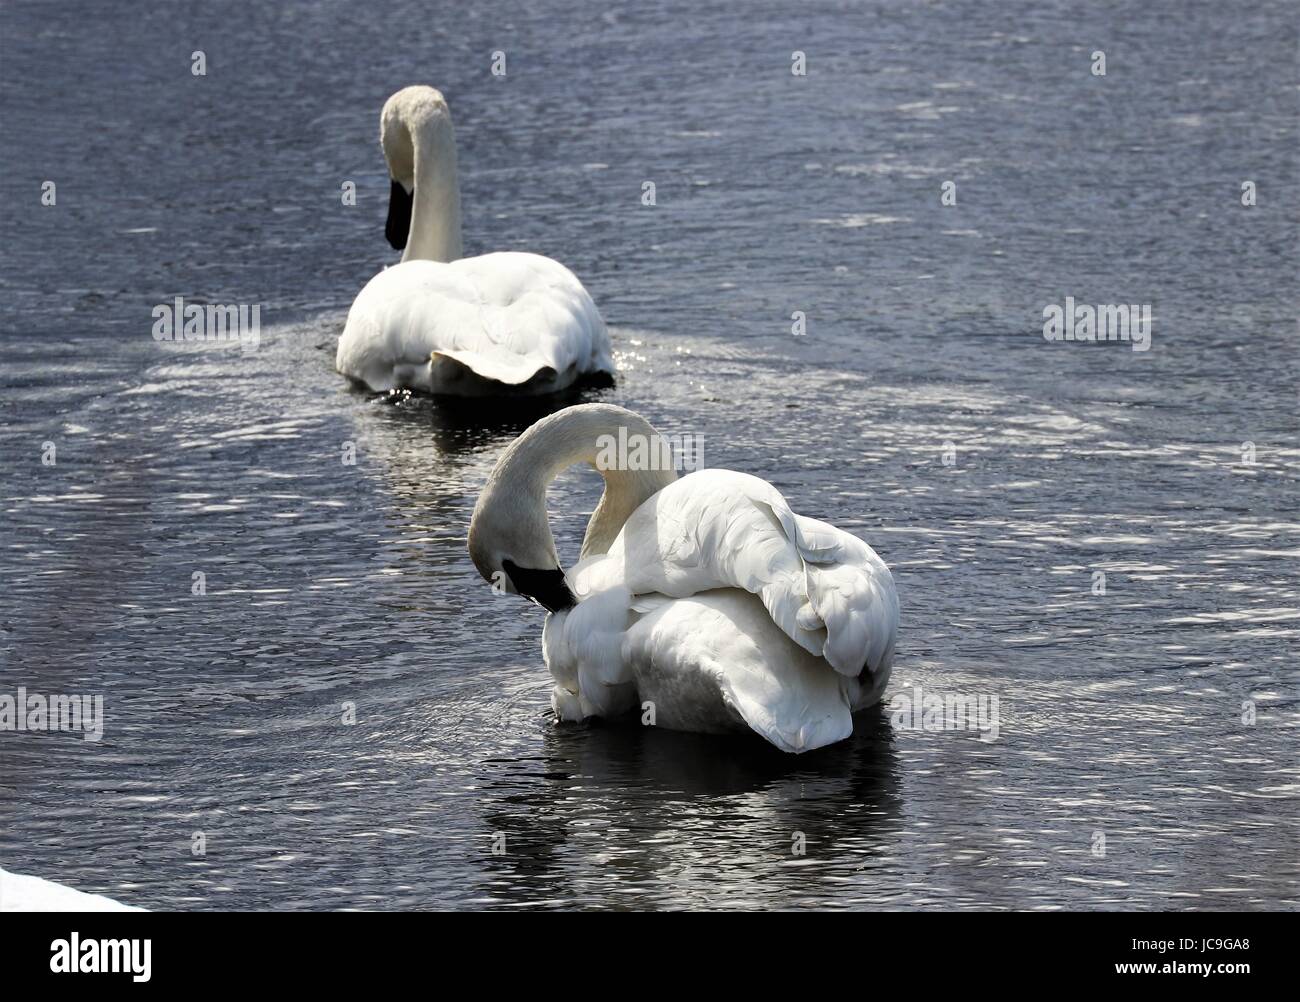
470 327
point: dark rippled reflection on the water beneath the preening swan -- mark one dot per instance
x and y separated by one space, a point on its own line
660 819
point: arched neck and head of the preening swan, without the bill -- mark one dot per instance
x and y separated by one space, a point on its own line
514 502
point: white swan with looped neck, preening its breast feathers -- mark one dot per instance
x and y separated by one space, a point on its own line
705 597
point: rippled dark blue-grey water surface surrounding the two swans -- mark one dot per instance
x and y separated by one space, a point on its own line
328 584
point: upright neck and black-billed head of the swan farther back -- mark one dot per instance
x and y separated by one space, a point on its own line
421 149
